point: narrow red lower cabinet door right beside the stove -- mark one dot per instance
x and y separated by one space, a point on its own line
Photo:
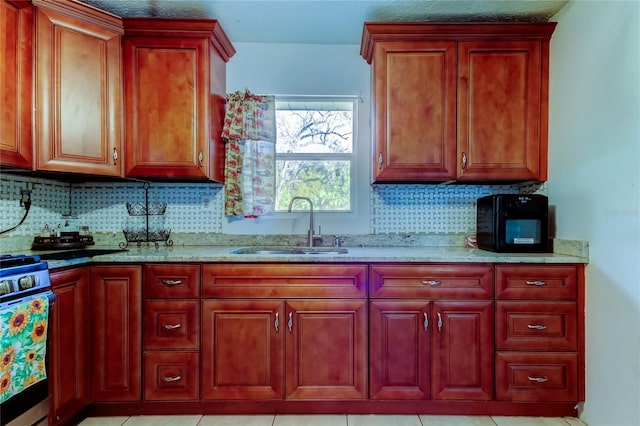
68 358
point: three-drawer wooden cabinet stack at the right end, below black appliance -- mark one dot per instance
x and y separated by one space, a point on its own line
540 333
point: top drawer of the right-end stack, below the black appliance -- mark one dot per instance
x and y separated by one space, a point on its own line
536 281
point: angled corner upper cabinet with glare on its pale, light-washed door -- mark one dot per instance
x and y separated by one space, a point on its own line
78 89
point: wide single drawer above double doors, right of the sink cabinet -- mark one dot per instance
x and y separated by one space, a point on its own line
432 281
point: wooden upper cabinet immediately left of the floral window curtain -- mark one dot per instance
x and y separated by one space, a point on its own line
175 72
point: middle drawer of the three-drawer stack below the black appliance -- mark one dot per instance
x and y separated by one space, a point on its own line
542 326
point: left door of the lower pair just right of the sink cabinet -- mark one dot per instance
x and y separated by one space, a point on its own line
400 349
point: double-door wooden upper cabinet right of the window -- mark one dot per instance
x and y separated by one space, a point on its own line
459 101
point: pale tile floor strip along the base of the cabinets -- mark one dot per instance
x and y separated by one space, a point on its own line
330 420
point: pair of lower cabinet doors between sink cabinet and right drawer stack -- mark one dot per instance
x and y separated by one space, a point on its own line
431 350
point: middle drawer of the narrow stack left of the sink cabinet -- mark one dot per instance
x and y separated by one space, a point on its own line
171 324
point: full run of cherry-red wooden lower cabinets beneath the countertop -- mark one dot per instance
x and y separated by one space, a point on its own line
380 338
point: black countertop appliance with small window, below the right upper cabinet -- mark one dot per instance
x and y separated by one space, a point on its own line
513 223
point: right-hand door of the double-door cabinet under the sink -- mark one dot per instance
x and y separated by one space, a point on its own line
326 349
